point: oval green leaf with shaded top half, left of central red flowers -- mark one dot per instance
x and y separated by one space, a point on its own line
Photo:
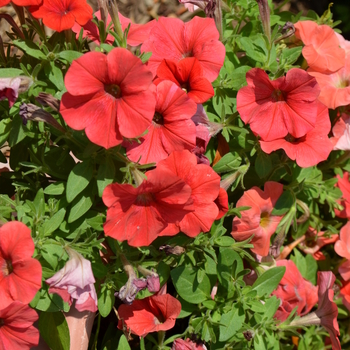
78 179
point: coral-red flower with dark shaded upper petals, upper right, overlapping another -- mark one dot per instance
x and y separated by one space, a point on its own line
274 108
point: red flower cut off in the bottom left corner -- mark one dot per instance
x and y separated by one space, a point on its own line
16 327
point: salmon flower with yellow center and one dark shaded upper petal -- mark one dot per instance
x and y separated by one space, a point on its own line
258 220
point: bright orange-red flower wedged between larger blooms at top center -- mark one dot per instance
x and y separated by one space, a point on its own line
188 74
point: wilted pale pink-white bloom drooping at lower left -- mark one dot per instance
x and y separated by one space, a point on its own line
75 281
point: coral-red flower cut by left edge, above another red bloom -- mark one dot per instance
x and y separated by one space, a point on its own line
20 274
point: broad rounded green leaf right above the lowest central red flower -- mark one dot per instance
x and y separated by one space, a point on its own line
186 284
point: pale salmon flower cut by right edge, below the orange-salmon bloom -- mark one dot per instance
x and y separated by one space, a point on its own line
335 87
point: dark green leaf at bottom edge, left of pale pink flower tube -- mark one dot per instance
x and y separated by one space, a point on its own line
54 329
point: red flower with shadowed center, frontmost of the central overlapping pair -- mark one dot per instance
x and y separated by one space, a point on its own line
139 214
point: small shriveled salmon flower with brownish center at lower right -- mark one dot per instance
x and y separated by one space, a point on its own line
314 241
